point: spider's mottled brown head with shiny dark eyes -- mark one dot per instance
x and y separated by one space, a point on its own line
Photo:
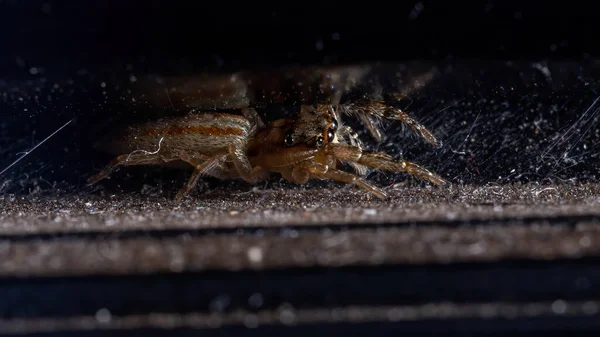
314 126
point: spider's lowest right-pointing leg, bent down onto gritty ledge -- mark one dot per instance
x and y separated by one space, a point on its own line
306 170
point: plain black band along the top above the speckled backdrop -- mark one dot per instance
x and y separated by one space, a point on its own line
228 35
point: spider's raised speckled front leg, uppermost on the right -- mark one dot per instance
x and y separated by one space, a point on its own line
370 112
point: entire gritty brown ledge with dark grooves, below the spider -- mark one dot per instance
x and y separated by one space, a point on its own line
75 241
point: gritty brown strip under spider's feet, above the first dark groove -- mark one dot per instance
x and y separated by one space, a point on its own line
230 208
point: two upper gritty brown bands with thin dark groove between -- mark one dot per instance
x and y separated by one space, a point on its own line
235 230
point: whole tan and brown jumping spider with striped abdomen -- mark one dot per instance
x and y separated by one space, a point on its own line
228 146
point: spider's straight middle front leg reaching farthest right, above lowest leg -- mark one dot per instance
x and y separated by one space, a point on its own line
381 161
